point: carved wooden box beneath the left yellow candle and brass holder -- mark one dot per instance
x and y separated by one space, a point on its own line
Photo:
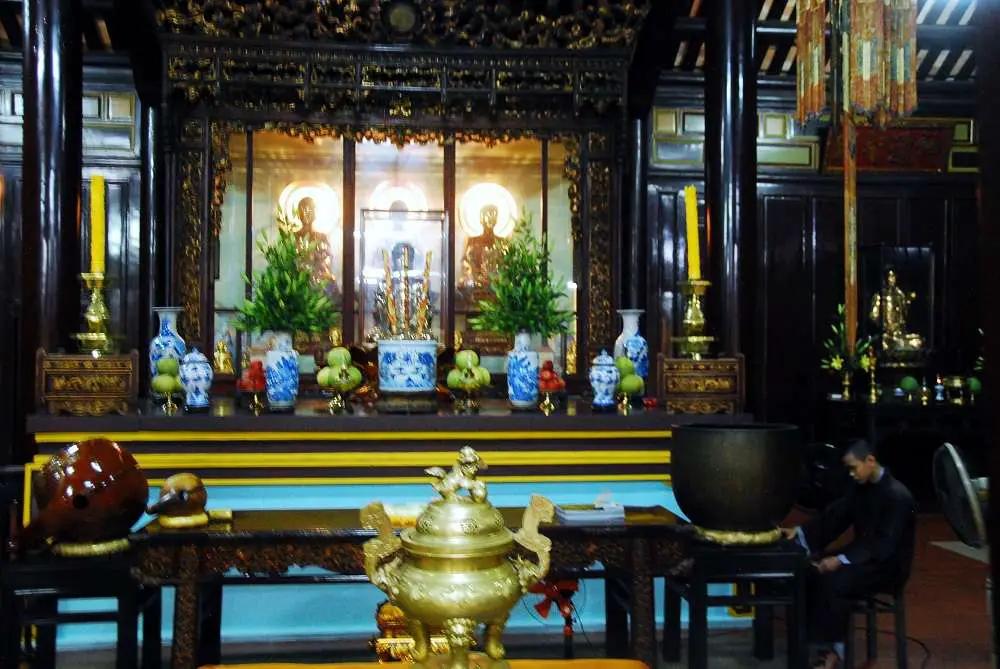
83 385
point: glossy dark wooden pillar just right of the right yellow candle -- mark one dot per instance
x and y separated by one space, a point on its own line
731 167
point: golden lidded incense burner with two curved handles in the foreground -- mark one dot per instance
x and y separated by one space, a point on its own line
460 567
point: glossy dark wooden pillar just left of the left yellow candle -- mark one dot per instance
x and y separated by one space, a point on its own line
50 233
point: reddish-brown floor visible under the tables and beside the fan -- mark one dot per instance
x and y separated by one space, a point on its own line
948 623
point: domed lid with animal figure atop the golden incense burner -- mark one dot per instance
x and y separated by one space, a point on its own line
459 525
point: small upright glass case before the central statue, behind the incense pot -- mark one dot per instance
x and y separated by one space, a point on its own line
402 274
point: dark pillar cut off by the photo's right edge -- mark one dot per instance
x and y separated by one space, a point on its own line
988 78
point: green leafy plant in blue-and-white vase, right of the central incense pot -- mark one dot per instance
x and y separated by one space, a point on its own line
524 303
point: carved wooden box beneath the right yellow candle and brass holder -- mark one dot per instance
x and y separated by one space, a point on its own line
709 386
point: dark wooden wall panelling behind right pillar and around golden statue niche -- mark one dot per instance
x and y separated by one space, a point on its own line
801 281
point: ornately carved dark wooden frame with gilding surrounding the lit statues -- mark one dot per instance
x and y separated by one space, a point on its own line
396 71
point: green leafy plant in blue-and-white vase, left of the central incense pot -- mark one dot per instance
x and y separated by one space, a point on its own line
286 299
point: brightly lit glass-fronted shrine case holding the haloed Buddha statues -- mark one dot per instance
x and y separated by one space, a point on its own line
358 198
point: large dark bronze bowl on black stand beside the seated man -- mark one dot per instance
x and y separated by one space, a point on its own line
736 477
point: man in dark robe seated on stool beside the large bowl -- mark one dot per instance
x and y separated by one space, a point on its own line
883 514
